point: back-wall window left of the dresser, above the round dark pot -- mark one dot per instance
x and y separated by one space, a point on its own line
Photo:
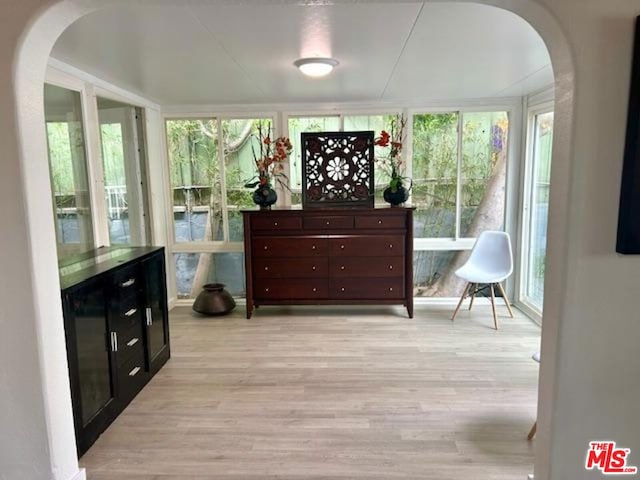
210 161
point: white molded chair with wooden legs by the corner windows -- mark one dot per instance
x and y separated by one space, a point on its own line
490 263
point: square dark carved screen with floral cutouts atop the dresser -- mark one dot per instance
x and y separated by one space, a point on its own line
337 169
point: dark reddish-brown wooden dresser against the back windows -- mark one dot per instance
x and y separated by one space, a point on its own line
329 257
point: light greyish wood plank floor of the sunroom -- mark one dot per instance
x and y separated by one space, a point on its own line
338 393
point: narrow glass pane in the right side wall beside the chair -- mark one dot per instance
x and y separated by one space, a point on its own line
536 210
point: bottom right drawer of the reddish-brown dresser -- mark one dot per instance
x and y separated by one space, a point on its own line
367 288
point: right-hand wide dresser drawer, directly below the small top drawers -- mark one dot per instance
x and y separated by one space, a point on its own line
367 246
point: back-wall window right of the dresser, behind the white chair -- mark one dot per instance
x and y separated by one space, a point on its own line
459 166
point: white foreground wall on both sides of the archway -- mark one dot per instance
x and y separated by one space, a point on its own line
590 366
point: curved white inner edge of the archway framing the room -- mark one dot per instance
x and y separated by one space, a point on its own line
31 59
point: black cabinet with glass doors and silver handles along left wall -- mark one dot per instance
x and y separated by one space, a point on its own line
117 332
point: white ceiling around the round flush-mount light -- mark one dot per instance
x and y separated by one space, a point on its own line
241 54
